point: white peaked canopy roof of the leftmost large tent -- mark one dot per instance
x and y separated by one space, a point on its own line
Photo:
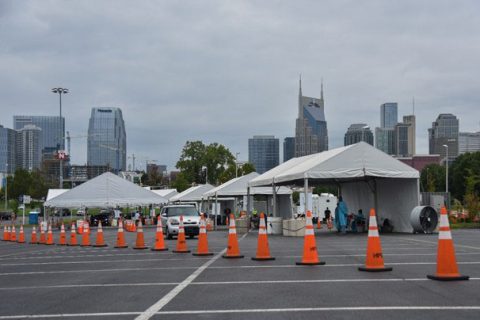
106 190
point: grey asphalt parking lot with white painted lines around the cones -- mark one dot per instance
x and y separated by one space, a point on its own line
38 281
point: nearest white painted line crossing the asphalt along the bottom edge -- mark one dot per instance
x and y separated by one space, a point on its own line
239 311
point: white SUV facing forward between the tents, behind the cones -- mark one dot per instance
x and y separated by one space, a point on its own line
171 219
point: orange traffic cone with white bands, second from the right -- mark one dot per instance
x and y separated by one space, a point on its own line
374 260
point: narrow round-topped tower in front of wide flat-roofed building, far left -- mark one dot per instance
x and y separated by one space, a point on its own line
28 147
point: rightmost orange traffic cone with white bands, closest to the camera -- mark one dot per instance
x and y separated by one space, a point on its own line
447 269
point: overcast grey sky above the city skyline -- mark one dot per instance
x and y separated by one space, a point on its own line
223 71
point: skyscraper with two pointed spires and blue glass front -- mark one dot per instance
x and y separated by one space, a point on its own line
311 134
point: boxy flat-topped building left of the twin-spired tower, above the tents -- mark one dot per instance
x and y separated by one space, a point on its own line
263 152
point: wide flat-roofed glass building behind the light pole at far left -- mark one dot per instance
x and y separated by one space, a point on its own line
52 130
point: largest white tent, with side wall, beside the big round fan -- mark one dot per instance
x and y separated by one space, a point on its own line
367 178
